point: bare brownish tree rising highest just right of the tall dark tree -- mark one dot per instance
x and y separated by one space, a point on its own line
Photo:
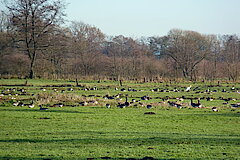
86 46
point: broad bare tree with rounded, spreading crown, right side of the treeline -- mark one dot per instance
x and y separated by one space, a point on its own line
187 49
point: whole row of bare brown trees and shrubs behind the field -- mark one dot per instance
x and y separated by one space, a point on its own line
33 43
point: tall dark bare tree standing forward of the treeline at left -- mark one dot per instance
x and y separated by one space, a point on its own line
31 21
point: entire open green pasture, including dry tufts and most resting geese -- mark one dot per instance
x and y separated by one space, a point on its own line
77 124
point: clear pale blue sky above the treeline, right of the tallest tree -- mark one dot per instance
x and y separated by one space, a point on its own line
138 18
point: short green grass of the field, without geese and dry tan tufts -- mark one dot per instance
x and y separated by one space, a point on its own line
84 132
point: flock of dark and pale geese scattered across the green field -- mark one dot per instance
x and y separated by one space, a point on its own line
165 100
